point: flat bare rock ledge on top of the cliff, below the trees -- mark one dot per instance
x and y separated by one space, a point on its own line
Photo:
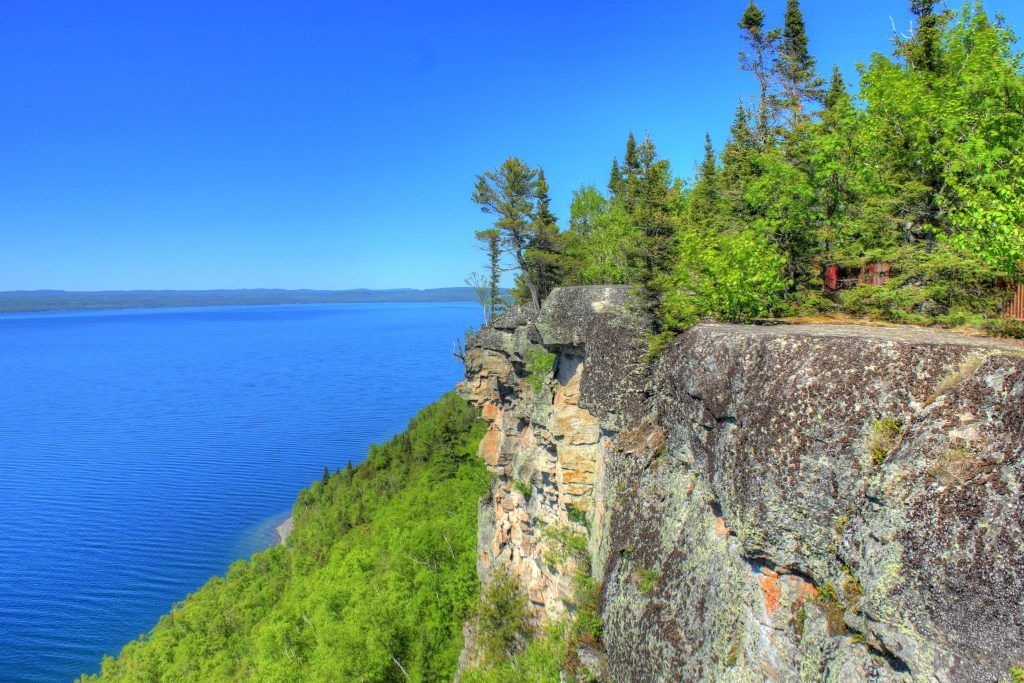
904 334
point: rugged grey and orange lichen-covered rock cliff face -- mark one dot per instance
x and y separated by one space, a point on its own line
764 503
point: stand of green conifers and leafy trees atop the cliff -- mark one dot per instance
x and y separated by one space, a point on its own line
909 191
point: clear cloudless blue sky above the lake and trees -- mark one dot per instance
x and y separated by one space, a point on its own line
332 145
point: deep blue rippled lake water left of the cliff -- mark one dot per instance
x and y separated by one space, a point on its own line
142 452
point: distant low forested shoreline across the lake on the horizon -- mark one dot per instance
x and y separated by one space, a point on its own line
56 301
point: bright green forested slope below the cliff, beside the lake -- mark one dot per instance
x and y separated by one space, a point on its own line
380 571
